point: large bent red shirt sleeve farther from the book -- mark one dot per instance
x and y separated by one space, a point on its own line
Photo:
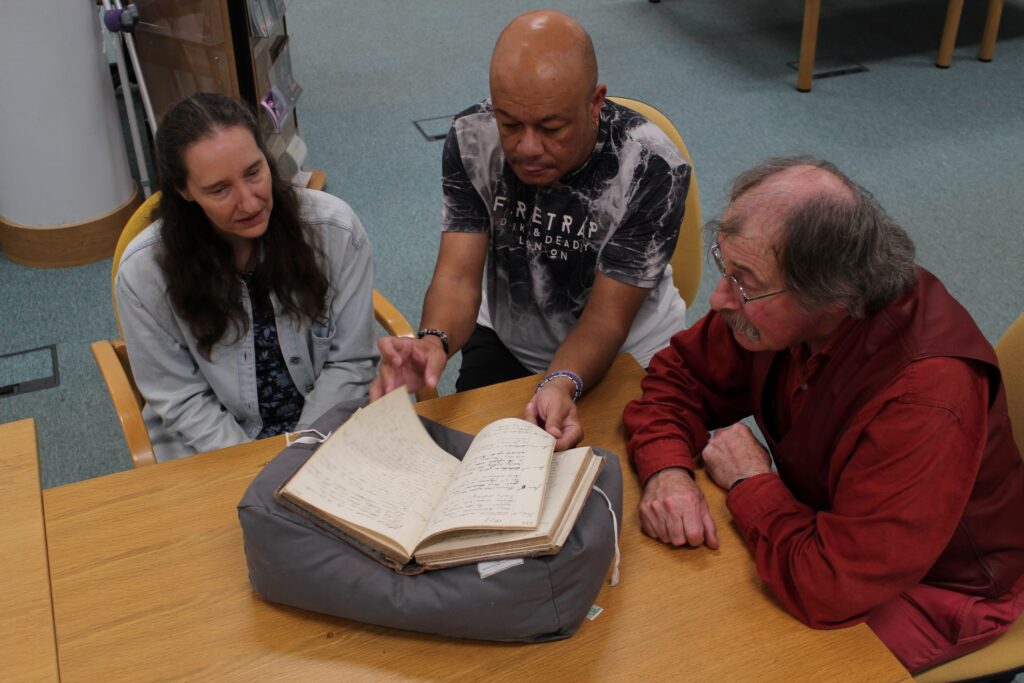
910 462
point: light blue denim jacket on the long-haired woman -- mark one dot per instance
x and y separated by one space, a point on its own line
195 405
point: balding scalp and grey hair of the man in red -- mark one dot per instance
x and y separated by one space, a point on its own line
832 240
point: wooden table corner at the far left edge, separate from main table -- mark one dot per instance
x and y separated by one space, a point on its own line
27 639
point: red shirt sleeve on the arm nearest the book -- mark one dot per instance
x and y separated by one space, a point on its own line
701 381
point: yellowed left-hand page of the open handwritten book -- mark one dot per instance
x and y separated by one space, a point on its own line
380 471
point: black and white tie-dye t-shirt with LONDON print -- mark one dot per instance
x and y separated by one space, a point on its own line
618 215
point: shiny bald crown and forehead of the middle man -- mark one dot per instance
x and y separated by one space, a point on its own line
545 49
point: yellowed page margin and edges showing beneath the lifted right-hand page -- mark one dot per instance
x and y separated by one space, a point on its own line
567 467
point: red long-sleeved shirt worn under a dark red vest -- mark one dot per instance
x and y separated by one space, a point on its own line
905 466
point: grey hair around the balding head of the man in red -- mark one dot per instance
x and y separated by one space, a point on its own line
835 248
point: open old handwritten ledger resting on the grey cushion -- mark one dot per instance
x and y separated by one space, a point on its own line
382 484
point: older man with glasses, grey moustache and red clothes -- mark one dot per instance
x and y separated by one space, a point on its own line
898 492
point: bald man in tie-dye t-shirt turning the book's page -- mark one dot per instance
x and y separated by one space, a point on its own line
562 210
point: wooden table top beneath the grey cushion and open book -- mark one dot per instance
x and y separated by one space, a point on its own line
150 584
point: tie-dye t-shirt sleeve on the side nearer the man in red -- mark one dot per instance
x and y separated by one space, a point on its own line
641 248
